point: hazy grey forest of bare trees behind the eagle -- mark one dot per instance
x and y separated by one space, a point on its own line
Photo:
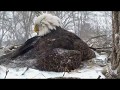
93 27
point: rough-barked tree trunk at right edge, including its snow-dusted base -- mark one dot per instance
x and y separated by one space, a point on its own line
115 59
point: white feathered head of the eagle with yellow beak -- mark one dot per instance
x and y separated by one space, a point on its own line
45 23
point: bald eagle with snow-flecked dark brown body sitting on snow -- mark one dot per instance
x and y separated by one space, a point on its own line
54 48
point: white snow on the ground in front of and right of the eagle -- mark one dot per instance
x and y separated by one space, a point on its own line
89 72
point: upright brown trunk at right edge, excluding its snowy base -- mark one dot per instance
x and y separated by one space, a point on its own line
115 35
